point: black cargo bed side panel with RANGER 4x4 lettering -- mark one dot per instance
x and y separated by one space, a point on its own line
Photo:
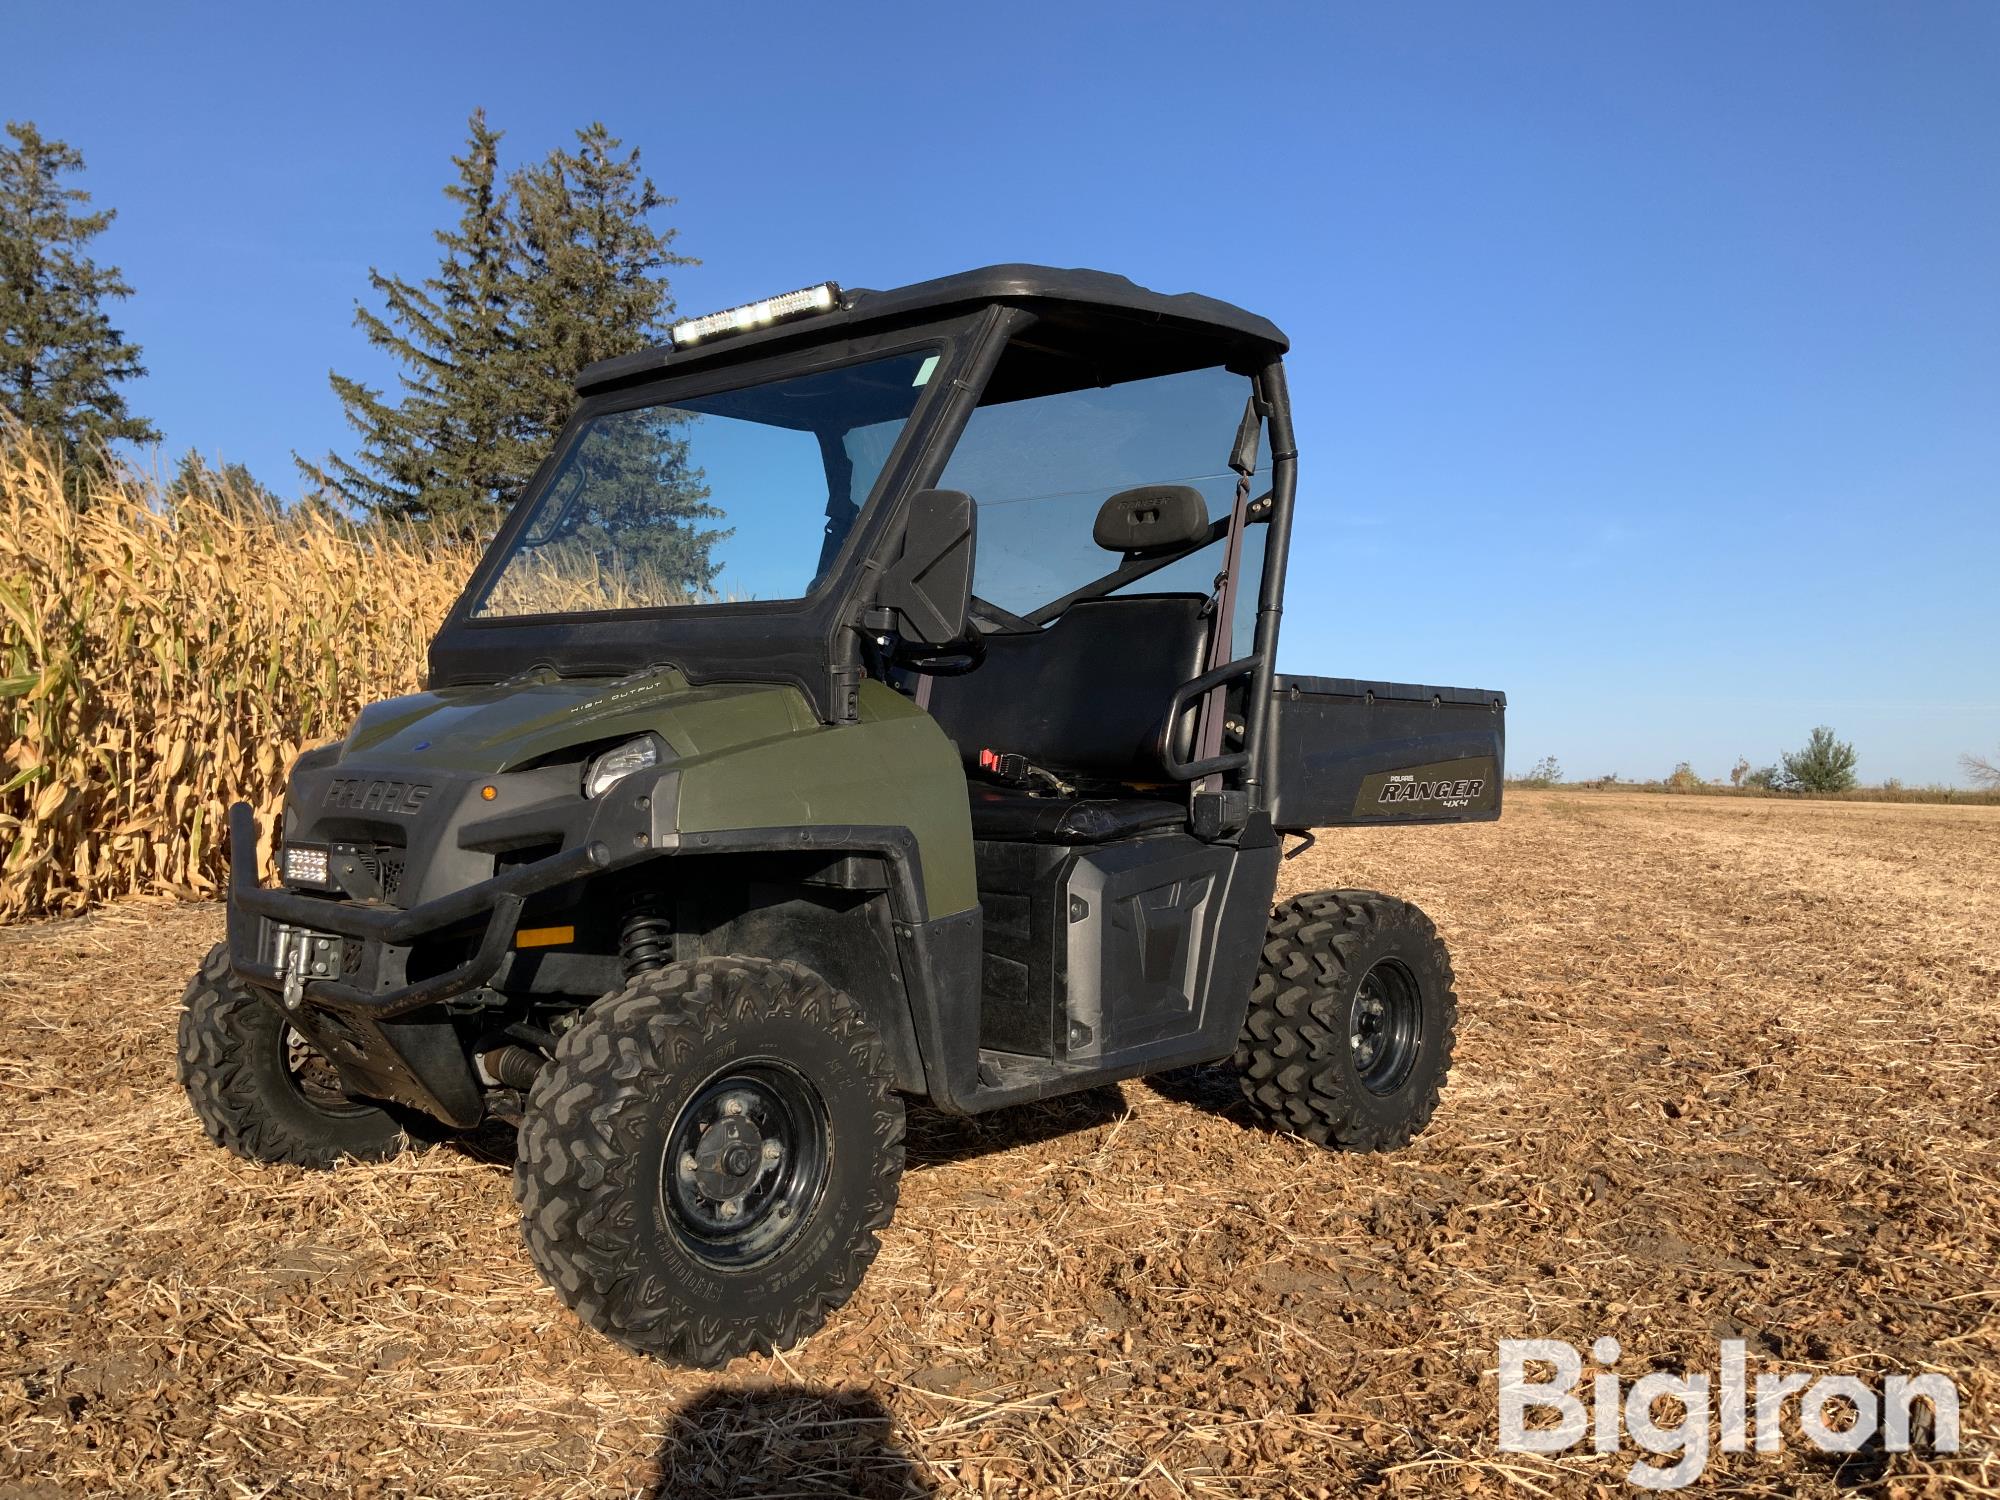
1369 753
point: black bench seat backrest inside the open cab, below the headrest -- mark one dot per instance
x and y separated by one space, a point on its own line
1085 695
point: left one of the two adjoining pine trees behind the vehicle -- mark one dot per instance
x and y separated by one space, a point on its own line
451 445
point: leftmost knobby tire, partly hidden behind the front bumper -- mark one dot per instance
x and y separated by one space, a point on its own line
259 1089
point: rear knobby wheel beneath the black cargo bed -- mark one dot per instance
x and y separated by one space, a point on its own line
1353 1021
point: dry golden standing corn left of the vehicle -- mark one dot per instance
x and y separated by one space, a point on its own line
161 661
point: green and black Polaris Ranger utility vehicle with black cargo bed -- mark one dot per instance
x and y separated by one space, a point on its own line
871 699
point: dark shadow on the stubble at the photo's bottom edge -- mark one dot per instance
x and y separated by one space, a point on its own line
785 1441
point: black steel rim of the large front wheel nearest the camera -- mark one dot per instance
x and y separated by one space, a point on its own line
745 1163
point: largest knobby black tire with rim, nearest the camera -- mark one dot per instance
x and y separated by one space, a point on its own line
707 1163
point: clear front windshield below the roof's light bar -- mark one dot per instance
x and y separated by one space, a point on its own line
745 495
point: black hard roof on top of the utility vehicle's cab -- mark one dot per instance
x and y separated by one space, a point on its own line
1083 291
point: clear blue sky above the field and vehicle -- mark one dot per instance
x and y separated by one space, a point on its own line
1647 359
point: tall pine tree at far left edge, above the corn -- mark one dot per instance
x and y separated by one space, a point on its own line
61 359
